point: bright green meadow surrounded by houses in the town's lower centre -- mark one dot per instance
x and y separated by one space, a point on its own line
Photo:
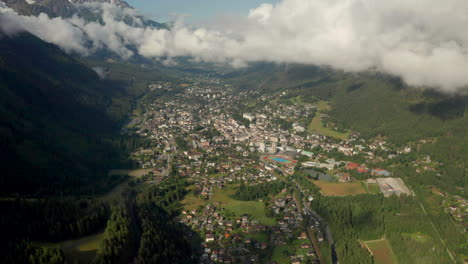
253 208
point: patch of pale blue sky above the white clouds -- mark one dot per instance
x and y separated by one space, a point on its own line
197 9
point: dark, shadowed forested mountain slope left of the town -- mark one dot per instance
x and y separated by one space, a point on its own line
55 126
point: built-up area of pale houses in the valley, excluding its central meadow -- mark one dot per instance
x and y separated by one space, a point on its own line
205 140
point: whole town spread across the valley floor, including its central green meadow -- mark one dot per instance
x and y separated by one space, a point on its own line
199 134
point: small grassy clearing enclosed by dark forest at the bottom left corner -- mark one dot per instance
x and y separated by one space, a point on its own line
82 250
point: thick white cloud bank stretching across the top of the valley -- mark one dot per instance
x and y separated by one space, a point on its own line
422 41
